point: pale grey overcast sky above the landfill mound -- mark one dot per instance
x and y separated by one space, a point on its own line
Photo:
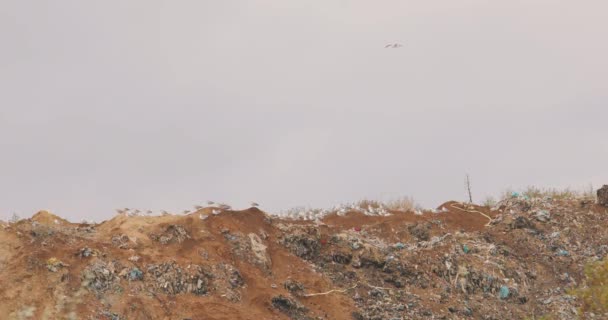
165 104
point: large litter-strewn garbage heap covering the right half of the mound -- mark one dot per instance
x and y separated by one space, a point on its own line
474 275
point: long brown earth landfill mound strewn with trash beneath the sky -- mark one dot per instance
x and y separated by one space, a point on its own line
517 260
